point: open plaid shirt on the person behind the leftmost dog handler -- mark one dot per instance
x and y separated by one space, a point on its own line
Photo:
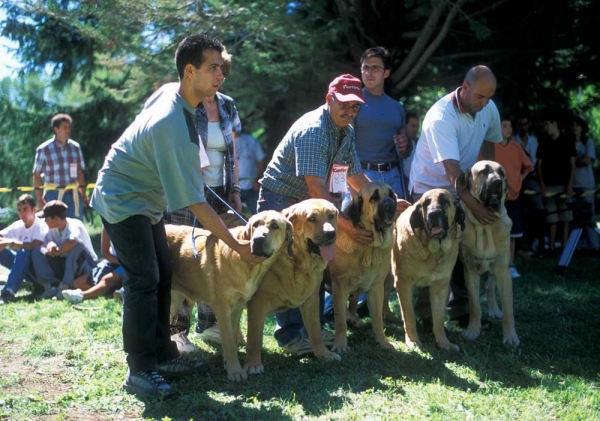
230 122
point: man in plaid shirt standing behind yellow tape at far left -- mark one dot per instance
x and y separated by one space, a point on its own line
60 162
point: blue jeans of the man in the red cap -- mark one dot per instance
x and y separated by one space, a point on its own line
289 323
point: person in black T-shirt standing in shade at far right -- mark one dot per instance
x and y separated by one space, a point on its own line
556 168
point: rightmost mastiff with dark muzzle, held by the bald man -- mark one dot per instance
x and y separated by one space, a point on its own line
486 248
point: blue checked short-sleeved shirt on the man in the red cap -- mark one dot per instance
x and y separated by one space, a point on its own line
310 147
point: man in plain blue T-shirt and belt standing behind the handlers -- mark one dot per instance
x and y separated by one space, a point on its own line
380 125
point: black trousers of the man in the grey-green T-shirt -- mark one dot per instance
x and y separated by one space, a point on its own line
144 255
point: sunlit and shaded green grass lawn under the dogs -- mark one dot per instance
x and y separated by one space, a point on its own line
59 362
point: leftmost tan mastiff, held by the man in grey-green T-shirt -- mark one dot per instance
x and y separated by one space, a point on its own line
220 277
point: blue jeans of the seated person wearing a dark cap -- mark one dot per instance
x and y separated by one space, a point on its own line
51 271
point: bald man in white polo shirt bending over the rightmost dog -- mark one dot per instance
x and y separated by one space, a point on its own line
455 129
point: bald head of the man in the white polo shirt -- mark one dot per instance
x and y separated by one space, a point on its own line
478 88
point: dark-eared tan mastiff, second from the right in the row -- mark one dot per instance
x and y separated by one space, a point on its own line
425 252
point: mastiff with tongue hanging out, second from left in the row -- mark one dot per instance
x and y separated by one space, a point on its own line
294 280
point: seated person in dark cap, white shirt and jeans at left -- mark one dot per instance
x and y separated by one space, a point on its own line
68 253
